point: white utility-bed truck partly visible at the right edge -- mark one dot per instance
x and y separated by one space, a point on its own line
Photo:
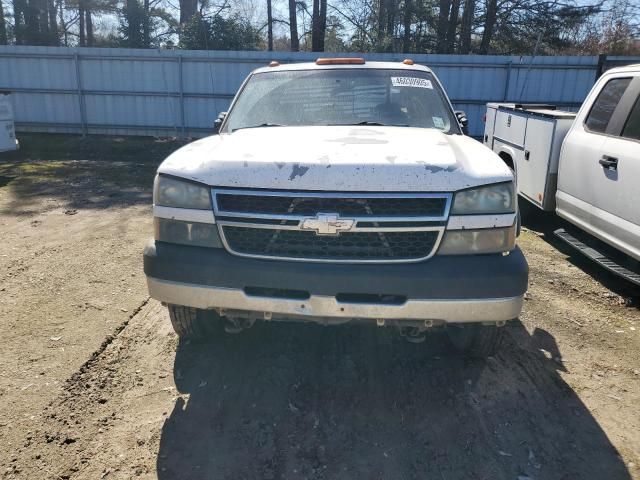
585 166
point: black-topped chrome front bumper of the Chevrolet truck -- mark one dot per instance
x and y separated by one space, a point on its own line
451 289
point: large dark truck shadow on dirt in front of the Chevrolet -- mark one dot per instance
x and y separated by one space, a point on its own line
298 401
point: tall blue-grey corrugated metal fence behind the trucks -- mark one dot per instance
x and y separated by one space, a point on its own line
179 93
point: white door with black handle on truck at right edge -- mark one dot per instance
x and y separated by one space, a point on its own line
616 180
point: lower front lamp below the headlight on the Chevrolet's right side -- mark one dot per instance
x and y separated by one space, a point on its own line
470 242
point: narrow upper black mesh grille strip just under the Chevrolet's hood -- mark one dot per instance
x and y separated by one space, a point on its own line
310 205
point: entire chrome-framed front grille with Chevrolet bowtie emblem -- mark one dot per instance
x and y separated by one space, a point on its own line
331 227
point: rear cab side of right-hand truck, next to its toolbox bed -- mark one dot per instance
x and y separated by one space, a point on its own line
580 173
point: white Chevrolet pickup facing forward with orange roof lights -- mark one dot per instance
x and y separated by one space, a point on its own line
335 191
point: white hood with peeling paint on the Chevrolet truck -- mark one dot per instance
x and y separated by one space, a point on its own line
340 158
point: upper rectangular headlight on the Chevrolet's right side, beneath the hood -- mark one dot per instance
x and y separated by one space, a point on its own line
493 199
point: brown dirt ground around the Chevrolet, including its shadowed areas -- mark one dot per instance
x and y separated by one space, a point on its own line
94 383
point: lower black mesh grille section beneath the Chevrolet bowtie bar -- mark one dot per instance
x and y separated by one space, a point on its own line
347 246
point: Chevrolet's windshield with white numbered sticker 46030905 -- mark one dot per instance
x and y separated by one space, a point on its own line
408 98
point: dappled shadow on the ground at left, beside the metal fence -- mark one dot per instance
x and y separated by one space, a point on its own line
81 172
